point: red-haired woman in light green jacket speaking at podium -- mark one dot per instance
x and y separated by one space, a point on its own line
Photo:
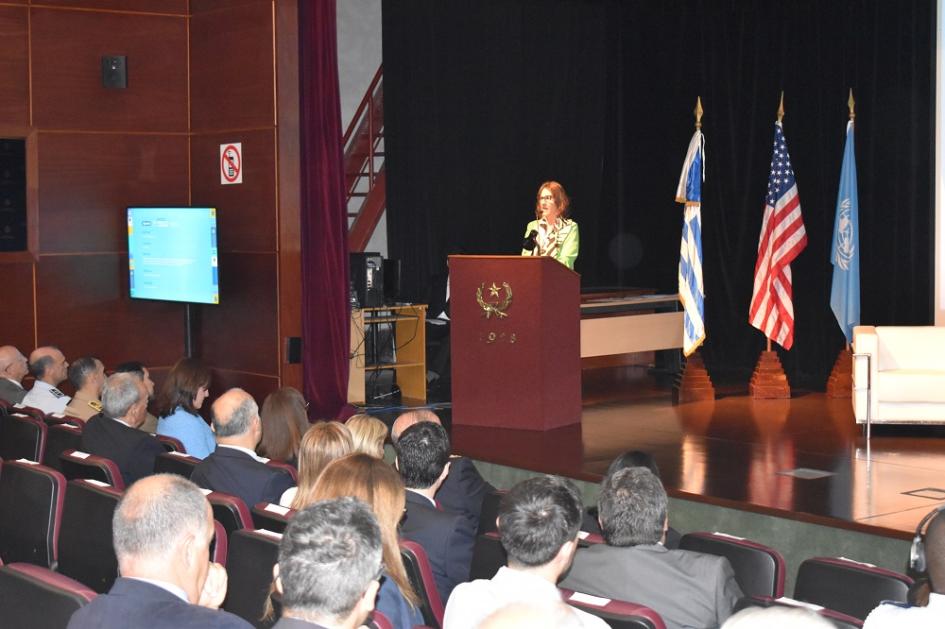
552 233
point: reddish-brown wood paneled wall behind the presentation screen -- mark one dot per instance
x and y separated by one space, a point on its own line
200 72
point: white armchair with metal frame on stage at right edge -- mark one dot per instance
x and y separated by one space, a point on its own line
899 374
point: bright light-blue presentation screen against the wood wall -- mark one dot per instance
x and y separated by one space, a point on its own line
172 254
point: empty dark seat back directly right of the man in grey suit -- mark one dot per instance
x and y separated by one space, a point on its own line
759 569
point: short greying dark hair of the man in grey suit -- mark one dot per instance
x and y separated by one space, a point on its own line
632 507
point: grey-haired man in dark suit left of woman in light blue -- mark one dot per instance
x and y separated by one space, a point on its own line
113 433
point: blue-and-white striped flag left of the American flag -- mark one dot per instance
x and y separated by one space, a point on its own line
691 290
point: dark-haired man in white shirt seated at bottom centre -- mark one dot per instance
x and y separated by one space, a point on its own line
538 523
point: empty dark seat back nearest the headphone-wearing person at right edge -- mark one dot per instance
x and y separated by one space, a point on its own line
848 586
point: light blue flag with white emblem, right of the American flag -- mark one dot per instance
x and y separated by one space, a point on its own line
845 253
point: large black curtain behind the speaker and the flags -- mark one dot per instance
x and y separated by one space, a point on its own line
486 100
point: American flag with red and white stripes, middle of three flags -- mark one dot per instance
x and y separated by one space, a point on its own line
782 238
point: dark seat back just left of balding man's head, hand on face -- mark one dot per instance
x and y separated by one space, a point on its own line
85 538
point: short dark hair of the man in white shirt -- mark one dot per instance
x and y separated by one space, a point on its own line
537 517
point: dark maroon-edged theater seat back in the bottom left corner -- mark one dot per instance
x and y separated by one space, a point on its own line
32 596
